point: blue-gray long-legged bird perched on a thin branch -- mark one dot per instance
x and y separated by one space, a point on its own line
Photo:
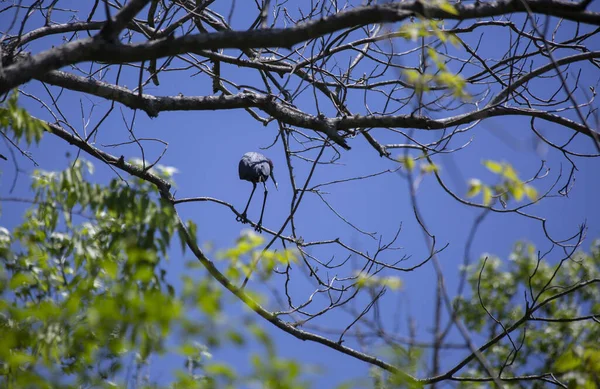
255 167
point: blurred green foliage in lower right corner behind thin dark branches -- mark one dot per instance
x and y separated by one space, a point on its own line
556 340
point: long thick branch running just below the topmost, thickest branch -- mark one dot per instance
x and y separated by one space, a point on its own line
153 105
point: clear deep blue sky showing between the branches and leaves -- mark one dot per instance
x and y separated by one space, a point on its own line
206 147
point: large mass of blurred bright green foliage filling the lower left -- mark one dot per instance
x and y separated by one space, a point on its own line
85 293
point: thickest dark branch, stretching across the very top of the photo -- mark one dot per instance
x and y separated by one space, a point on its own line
100 50
